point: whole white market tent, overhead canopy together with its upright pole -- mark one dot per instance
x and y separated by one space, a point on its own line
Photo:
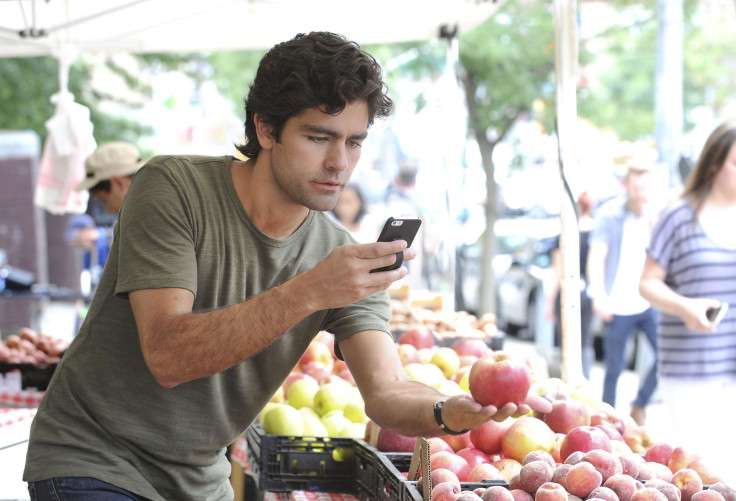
64 28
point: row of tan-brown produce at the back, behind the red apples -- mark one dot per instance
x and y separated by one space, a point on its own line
444 324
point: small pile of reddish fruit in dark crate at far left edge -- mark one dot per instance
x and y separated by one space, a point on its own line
30 347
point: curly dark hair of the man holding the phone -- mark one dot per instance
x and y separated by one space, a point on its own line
316 70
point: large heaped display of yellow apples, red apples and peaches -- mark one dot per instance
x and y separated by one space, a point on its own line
582 450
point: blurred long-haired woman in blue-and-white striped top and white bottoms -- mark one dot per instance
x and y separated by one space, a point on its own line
690 268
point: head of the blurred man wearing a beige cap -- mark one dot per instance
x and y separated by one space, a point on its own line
110 169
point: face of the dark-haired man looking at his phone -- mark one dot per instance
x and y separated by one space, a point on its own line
317 153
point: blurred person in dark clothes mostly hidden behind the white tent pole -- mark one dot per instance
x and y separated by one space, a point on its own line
553 301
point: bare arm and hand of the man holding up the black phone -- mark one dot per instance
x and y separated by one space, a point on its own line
180 346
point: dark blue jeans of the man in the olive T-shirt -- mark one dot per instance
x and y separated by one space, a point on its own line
78 489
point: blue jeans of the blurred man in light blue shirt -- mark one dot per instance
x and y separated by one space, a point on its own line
614 345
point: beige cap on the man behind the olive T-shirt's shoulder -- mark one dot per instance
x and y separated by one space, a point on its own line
111 159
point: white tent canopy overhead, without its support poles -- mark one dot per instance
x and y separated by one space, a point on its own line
40 27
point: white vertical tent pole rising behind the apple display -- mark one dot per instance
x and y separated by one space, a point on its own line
566 66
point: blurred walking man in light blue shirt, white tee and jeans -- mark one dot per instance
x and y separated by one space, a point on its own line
615 259
